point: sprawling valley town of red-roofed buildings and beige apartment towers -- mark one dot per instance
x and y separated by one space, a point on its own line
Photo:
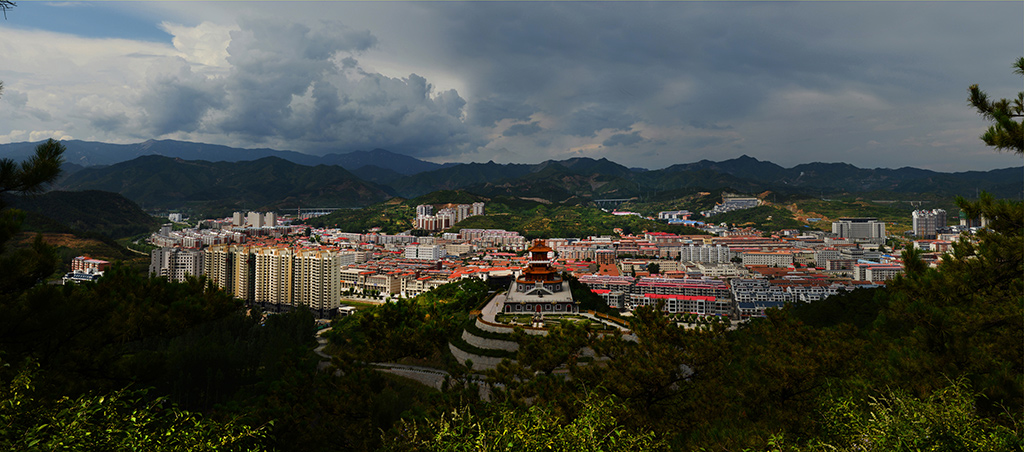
739 273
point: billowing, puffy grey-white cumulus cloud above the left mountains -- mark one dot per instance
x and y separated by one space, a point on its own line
304 85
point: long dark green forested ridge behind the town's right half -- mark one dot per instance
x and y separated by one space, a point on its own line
558 181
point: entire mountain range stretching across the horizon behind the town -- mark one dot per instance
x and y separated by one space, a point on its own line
168 175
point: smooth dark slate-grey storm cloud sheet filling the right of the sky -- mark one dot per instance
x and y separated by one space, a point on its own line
719 66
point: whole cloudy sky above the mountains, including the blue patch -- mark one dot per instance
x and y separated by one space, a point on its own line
875 85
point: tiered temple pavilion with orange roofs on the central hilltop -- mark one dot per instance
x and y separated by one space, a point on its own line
540 290
